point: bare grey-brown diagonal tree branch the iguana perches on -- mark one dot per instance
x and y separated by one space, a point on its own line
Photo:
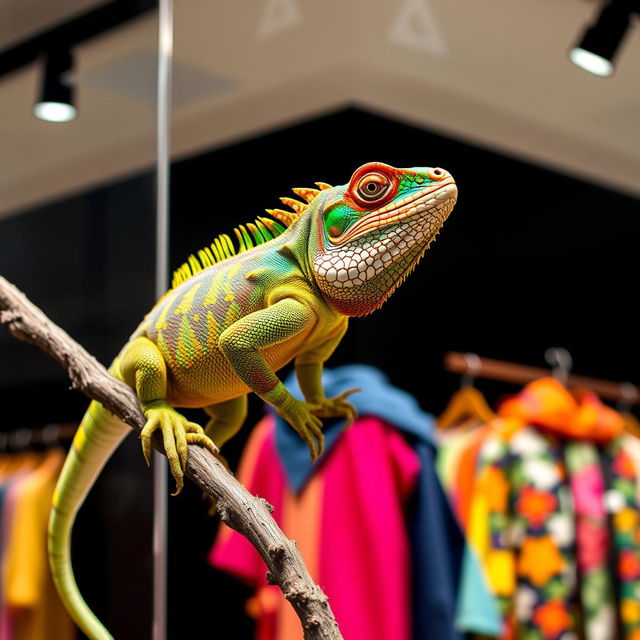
240 510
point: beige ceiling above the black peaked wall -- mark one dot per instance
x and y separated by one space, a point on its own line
490 73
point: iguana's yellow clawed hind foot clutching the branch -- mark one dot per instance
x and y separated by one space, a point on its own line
177 433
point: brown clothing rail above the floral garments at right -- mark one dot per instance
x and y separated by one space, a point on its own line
476 366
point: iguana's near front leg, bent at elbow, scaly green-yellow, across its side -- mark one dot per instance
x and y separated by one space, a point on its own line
241 343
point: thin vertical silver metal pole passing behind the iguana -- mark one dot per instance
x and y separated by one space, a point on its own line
160 480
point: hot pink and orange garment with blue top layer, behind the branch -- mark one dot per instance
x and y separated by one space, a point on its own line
349 515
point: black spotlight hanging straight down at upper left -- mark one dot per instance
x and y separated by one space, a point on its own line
55 103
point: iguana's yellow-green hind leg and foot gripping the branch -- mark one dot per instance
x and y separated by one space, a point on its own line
143 368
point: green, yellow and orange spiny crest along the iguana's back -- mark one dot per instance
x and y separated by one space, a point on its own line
248 236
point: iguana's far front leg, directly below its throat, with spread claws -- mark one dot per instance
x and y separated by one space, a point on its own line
309 365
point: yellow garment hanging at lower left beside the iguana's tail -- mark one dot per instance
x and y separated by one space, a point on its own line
36 610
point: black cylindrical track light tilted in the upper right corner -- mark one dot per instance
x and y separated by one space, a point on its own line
599 44
